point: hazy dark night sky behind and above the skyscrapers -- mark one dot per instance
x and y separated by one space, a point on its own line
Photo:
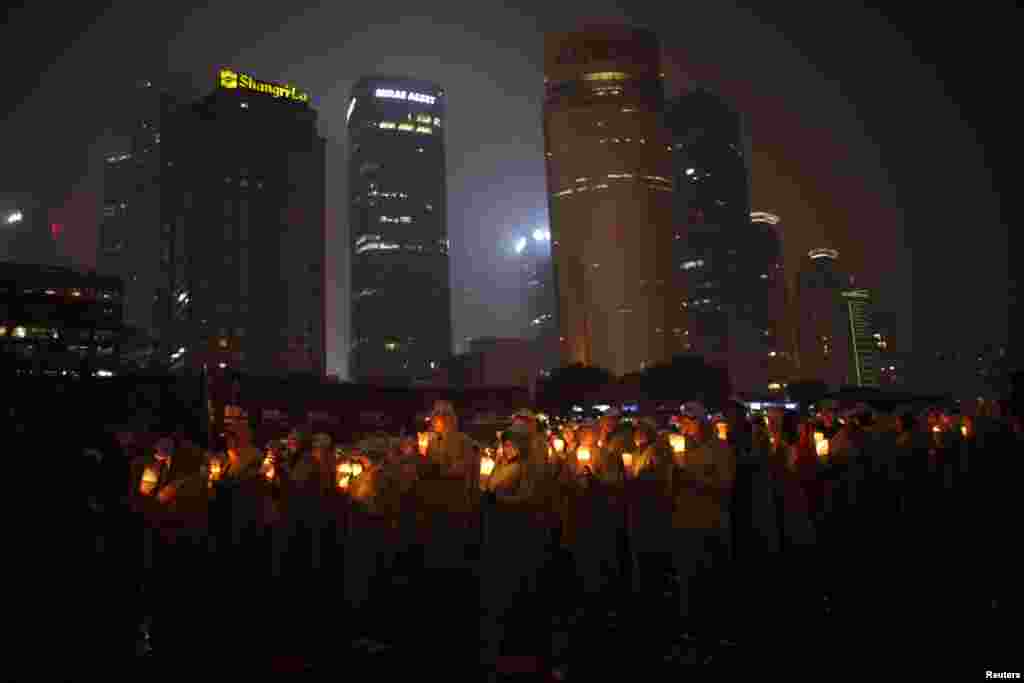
874 136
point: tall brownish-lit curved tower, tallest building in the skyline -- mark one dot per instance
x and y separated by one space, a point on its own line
611 198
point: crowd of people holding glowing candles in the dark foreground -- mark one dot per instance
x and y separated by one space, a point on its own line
728 526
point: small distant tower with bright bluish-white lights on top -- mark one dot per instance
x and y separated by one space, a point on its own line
534 250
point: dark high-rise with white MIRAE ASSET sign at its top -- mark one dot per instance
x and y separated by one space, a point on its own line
402 302
